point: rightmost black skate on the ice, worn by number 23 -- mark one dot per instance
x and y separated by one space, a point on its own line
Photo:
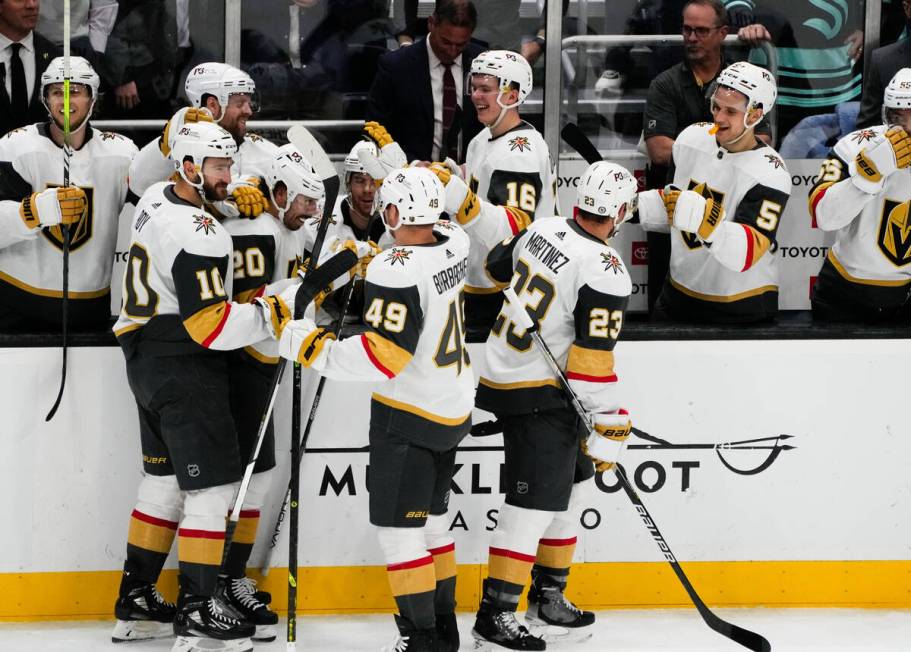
552 616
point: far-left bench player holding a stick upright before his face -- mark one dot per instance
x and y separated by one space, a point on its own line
34 206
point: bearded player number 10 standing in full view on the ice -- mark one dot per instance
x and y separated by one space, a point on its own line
176 316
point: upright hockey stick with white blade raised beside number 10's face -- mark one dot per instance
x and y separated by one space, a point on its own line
304 141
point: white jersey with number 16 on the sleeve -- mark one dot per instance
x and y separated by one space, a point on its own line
513 170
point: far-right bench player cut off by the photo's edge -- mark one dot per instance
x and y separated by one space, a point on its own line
863 193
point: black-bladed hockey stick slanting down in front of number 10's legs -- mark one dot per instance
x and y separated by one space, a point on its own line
313 284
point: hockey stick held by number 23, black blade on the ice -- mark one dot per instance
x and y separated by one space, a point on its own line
746 638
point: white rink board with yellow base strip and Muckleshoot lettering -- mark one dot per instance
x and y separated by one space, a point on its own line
776 470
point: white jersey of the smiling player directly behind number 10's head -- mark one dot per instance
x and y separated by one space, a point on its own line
253 158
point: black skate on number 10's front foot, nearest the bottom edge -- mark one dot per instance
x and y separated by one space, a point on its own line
204 623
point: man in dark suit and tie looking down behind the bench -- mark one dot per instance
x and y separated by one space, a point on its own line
417 88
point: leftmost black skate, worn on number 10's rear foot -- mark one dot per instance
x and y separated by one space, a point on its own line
142 613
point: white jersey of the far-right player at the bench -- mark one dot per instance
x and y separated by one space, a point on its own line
872 250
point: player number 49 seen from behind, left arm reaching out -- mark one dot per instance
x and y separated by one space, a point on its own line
415 341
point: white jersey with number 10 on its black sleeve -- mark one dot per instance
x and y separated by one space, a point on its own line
178 283
